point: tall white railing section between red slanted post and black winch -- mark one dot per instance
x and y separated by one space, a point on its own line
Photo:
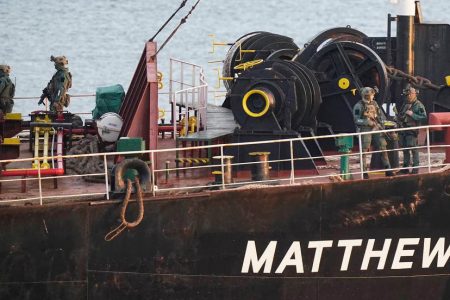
188 90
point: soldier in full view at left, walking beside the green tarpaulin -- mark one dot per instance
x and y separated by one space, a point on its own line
56 90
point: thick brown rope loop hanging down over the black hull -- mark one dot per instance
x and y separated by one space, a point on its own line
125 224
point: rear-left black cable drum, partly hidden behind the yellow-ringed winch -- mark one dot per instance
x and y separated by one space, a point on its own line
261 44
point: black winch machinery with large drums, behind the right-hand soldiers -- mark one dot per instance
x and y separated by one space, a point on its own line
277 90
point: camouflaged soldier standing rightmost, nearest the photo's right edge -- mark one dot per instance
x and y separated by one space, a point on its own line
411 114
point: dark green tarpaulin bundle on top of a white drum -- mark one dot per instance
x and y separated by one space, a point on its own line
108 99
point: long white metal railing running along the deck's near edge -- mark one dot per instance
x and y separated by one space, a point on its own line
195 178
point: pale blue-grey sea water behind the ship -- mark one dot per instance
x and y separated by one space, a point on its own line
103 39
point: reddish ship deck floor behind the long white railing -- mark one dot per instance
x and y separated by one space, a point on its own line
179 169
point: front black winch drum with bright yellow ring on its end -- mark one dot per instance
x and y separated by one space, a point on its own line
274 96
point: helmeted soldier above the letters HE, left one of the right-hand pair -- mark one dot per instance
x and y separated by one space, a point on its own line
368 116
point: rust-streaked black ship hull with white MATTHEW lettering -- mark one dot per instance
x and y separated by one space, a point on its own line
377 239
